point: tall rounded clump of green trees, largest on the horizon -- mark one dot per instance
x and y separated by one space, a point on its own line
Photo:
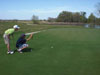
67 16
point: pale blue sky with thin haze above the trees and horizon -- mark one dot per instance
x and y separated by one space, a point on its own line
25 9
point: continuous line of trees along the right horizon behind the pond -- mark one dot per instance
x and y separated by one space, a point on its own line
79 17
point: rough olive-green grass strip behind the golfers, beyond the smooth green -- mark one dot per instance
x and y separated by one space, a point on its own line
24 27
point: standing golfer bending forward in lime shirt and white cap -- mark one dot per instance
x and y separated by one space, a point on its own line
7 35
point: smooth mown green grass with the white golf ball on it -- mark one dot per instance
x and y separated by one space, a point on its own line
57 51
